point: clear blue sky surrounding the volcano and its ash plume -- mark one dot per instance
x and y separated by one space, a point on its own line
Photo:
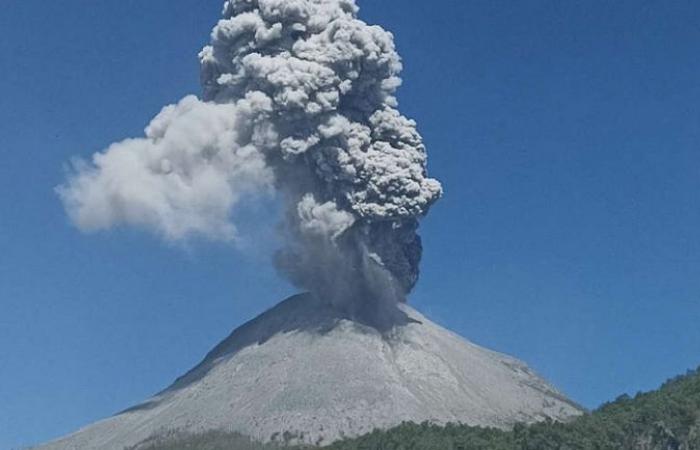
566 135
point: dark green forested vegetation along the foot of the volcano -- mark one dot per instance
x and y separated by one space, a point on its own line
666 419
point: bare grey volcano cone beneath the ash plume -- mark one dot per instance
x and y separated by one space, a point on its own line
303 368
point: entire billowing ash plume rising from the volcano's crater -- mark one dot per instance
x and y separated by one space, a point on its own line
298 98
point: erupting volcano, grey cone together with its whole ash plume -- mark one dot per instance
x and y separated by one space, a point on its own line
299 102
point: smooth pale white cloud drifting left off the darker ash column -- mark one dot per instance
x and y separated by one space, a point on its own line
182 179
